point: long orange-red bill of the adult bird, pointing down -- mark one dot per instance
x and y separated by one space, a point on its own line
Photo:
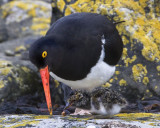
45 80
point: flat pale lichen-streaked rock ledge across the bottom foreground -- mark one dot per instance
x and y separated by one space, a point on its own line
137 121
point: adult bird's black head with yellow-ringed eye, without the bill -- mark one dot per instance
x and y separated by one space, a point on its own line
45 52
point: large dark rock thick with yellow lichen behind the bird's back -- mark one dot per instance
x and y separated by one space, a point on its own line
138 72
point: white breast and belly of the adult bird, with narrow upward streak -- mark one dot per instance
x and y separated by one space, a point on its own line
99 74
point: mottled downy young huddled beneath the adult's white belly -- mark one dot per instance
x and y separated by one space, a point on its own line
101 101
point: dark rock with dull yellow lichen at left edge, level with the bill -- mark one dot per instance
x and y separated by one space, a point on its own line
16 80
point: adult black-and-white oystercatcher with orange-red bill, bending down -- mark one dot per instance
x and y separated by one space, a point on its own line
80 50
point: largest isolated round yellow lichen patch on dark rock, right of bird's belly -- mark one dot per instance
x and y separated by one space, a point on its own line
139 71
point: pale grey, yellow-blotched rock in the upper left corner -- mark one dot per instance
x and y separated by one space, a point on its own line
25 17
